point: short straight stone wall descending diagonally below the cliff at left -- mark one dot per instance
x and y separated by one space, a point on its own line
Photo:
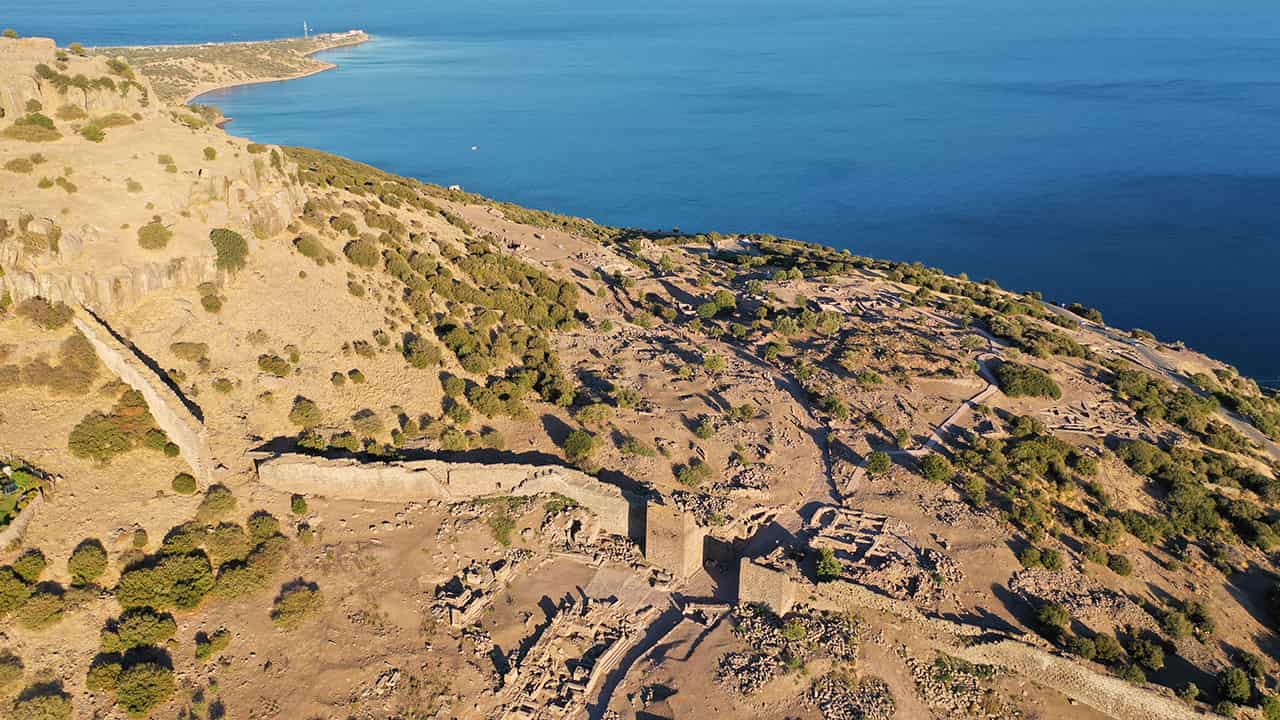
171 413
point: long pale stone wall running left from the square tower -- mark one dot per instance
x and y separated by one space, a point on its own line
436 480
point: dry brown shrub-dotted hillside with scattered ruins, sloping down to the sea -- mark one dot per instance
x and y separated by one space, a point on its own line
986 507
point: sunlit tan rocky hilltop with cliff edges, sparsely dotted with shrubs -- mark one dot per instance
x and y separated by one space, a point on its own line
74 207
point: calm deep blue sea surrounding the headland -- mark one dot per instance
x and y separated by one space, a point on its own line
1124 154
